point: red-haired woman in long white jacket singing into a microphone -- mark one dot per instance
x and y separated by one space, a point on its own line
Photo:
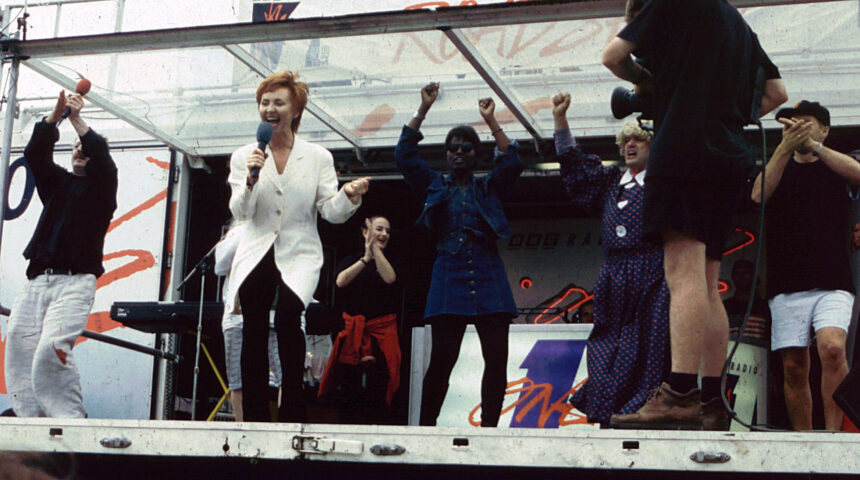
279 252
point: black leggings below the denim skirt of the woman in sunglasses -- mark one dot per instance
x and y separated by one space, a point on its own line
447 335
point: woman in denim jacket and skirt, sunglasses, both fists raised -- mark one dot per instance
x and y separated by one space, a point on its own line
469 285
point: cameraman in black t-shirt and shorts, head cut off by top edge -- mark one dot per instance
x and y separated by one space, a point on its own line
704 63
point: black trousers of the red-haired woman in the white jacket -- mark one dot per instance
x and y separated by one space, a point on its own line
256 295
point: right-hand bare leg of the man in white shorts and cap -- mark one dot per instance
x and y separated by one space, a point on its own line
834 369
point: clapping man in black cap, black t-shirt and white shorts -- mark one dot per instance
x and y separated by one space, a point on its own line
808 191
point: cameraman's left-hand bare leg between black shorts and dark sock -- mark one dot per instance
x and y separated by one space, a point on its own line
684 259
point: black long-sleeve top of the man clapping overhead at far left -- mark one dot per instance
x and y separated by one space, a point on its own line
77 209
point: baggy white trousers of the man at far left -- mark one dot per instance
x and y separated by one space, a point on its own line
49 314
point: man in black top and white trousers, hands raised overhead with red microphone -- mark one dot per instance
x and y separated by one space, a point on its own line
65 255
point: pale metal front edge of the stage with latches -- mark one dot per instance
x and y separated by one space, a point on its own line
612 450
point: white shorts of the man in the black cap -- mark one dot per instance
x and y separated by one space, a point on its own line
796 315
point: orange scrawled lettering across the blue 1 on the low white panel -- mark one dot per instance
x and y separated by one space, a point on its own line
541 394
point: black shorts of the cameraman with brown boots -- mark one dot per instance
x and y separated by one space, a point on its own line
703 208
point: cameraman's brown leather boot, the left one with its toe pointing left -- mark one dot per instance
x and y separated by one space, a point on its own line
665 409
